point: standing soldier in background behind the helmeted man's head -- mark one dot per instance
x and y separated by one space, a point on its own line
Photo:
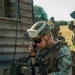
55 28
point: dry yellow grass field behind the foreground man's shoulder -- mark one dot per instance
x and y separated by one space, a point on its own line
68 36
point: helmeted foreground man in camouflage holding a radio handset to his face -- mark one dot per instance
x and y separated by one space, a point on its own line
58 61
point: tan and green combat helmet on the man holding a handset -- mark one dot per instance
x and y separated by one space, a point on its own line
39 29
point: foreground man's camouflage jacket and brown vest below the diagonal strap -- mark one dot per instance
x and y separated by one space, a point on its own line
58 62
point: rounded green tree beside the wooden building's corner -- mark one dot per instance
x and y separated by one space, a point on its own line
39 14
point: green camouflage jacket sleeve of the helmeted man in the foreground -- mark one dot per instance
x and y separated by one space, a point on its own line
64 61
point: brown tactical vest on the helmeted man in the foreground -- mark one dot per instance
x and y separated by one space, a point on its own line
50 62
